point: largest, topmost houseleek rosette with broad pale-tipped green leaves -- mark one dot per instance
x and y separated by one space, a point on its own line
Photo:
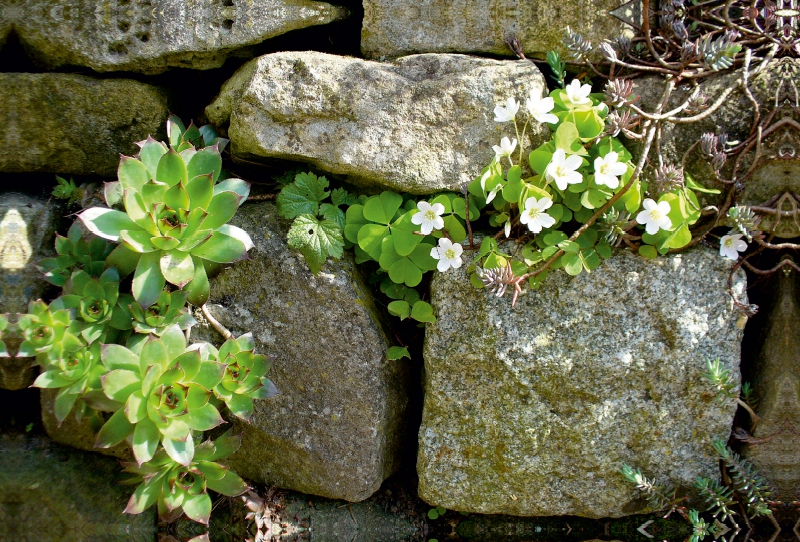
175 219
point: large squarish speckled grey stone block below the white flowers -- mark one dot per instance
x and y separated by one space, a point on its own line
533 410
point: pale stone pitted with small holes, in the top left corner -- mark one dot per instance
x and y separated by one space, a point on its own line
151 36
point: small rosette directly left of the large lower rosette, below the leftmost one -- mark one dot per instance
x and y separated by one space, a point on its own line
74 375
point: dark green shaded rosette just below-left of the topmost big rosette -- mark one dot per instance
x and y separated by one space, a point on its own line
74 252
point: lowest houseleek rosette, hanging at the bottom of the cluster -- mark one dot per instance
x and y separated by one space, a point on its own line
180 488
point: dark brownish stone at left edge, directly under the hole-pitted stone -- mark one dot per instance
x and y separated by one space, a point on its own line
65 123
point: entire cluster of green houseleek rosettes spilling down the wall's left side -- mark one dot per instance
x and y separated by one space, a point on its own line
120 358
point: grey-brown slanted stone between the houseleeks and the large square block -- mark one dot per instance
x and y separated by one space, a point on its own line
336 428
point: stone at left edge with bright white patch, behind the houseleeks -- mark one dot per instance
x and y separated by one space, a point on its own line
27 233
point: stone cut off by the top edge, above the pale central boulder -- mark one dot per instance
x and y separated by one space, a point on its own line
396 27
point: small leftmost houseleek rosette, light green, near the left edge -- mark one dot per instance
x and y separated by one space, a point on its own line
54 333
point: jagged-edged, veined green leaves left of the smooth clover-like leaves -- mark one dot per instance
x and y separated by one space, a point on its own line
302 201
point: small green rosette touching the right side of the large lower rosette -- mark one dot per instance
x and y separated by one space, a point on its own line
244 378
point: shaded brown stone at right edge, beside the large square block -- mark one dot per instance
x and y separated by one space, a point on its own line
777 388
